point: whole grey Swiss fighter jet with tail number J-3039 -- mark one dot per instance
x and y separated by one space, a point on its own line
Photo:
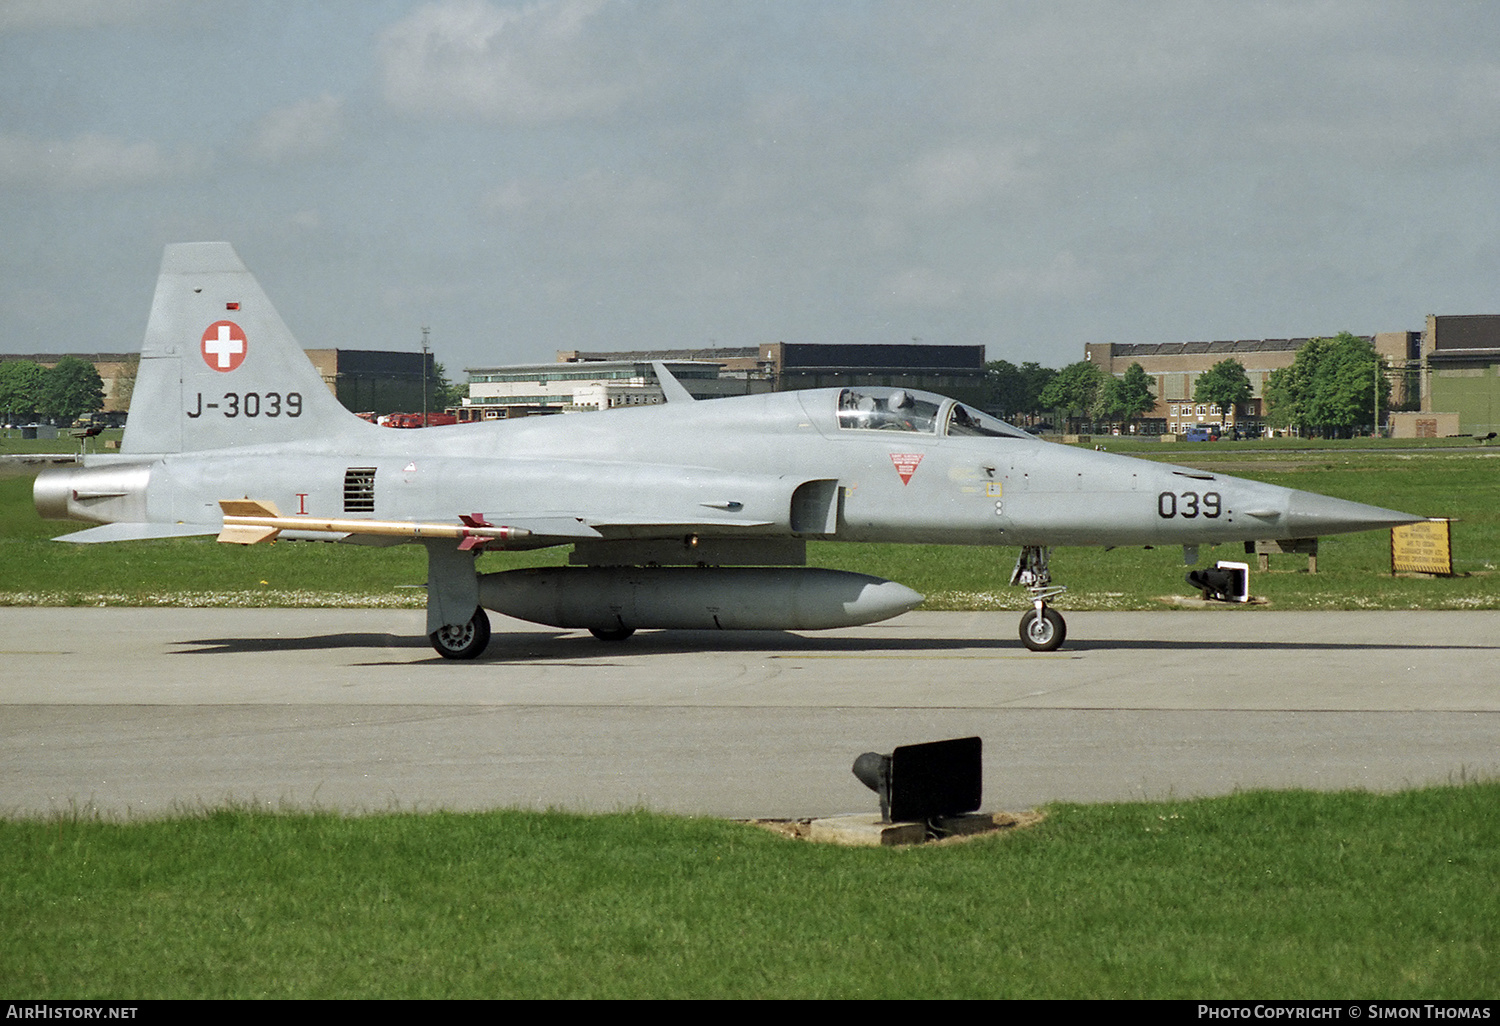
686 515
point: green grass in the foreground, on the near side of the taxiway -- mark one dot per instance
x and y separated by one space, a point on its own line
1292 895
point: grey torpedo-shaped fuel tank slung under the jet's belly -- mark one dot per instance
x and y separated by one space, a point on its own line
614 599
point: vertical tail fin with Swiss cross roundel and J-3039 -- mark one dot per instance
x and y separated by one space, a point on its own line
220 367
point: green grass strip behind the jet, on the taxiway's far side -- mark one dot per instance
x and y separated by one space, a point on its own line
1438 479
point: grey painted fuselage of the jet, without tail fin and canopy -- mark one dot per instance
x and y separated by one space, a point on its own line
731 467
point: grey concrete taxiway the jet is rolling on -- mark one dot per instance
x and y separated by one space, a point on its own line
145 712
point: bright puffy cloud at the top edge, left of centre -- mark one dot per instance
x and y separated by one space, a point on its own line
545 62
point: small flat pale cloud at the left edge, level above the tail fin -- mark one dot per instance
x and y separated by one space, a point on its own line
88 163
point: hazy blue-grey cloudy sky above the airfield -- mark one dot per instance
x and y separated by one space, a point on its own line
524 178
